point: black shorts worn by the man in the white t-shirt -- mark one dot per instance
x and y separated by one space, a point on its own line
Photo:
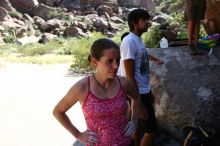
149 125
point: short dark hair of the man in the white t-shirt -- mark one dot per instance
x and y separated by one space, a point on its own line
135 15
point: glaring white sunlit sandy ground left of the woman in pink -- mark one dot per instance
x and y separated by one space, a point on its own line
28 94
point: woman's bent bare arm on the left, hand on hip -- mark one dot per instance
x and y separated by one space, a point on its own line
76 93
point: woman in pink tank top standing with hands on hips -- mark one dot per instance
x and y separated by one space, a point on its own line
102 96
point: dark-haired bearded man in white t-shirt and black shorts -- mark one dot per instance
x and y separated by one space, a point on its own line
134 65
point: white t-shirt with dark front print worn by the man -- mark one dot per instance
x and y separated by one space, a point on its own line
132 47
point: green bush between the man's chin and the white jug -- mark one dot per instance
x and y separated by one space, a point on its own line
152 37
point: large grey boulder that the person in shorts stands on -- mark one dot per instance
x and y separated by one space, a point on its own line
187 89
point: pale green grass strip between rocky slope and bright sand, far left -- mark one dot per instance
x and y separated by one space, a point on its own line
35 53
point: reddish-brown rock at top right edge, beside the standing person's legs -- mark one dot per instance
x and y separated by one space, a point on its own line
212 19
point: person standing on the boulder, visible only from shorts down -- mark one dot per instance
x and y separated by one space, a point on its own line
194 12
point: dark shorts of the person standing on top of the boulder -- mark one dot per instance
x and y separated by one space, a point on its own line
195 10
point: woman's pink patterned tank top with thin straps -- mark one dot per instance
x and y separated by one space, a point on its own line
107 117
